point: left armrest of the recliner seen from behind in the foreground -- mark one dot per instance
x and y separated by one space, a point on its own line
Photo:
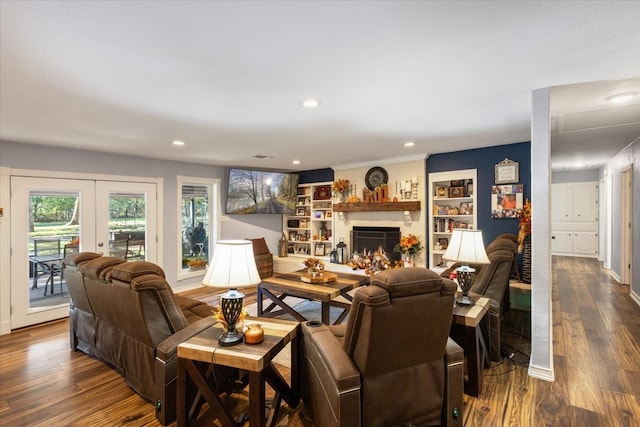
330 380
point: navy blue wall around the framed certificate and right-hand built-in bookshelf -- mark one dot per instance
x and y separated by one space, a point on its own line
484 160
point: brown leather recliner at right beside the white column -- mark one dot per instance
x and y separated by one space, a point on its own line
492 281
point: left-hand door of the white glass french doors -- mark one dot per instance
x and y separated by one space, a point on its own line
48 215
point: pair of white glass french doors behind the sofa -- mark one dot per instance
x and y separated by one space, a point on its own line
52 217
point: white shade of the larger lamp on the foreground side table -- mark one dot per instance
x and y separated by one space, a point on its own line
233 265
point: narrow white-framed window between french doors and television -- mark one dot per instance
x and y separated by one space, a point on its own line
198 224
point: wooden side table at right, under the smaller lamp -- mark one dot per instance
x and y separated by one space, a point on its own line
475 323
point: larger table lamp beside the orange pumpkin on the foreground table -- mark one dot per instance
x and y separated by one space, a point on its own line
233 266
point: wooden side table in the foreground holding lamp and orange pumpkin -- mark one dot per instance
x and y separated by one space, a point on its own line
203 349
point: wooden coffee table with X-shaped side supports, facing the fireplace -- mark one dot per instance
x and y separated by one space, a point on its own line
280 286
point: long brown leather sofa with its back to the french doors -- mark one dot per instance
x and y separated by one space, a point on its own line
125 314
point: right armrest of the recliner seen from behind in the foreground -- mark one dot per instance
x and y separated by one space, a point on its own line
454 383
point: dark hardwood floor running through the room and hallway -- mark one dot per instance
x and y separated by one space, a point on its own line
596 330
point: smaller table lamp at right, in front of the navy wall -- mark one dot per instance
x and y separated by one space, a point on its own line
466 247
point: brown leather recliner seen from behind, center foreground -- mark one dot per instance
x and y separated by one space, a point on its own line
393 363
